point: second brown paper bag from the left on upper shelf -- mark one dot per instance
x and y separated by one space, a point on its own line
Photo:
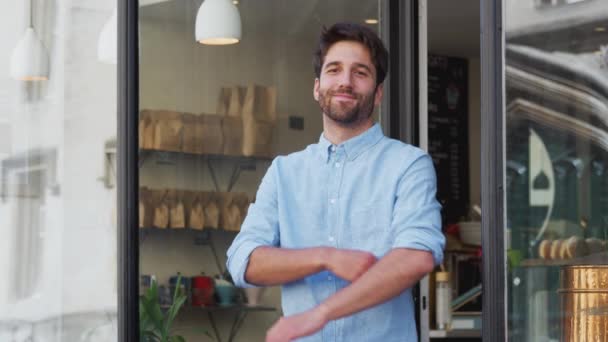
168 131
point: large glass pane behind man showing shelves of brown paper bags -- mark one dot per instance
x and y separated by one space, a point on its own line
213 115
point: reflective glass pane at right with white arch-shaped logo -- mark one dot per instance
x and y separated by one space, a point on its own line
557 153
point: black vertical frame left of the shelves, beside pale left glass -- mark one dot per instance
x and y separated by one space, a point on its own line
127 171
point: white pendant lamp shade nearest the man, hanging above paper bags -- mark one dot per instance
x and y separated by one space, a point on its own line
218 22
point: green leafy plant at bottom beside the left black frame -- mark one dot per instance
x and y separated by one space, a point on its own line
154 324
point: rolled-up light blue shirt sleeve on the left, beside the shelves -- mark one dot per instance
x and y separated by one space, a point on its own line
260 228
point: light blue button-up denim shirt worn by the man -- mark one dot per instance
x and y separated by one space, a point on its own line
369 193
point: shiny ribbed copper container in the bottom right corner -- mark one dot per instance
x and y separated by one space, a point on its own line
584 303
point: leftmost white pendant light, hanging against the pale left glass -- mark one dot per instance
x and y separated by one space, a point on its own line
30 60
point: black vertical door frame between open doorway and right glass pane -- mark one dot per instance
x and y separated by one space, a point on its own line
494 307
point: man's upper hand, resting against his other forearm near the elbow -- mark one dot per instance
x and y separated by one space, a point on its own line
349 264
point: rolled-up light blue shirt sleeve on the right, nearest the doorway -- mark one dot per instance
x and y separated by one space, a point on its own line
416 221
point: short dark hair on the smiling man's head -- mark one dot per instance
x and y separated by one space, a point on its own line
356 33
